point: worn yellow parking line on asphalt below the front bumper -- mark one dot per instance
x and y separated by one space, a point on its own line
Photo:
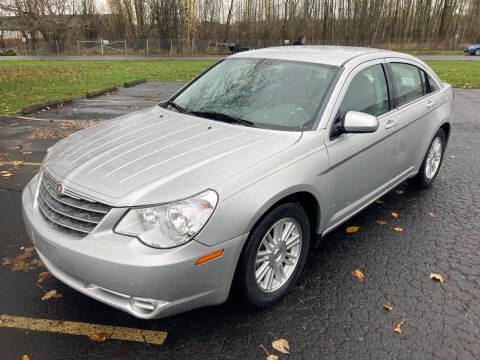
79 328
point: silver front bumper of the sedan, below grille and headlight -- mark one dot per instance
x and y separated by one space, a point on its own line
122 272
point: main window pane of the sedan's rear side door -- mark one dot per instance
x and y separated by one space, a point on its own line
408 84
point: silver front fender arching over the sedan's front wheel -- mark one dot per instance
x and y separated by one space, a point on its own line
301 170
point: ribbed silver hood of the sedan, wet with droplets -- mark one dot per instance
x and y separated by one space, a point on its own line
156 155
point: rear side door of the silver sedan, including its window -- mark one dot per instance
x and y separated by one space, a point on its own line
417 99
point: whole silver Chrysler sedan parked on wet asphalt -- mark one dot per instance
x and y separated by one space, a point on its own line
233 179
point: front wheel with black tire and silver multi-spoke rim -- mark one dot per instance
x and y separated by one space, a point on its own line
275 255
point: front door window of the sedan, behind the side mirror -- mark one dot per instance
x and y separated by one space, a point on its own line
367 93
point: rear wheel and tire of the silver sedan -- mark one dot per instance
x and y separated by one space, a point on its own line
432 162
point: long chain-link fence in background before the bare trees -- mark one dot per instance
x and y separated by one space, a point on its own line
176 47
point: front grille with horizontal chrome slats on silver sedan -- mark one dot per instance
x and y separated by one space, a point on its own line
67 212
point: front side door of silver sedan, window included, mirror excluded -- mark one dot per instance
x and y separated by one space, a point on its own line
362 166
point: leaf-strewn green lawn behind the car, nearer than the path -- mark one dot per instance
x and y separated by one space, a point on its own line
28 82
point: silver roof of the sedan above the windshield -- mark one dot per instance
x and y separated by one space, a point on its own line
322 54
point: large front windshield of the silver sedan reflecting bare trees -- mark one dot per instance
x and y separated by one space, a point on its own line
275 94
